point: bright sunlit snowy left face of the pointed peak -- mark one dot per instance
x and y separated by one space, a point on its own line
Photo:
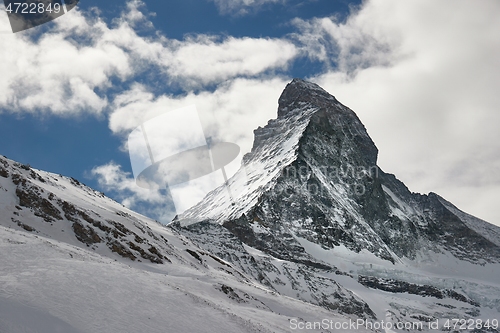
277 148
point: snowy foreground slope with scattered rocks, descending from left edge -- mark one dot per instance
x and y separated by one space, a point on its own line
73 260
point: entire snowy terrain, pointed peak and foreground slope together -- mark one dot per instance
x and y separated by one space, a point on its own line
316 238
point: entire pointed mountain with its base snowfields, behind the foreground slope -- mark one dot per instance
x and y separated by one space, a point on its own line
316 219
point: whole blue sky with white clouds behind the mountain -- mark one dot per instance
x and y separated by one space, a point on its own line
424 84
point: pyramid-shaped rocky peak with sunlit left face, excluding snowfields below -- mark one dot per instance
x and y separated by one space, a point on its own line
312 174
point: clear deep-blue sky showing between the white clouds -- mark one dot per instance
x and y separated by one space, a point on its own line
43 140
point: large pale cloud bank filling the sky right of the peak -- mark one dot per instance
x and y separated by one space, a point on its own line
424 81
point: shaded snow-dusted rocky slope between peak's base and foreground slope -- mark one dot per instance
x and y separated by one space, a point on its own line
299 278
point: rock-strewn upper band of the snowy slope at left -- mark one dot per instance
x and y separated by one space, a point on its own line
64 210
